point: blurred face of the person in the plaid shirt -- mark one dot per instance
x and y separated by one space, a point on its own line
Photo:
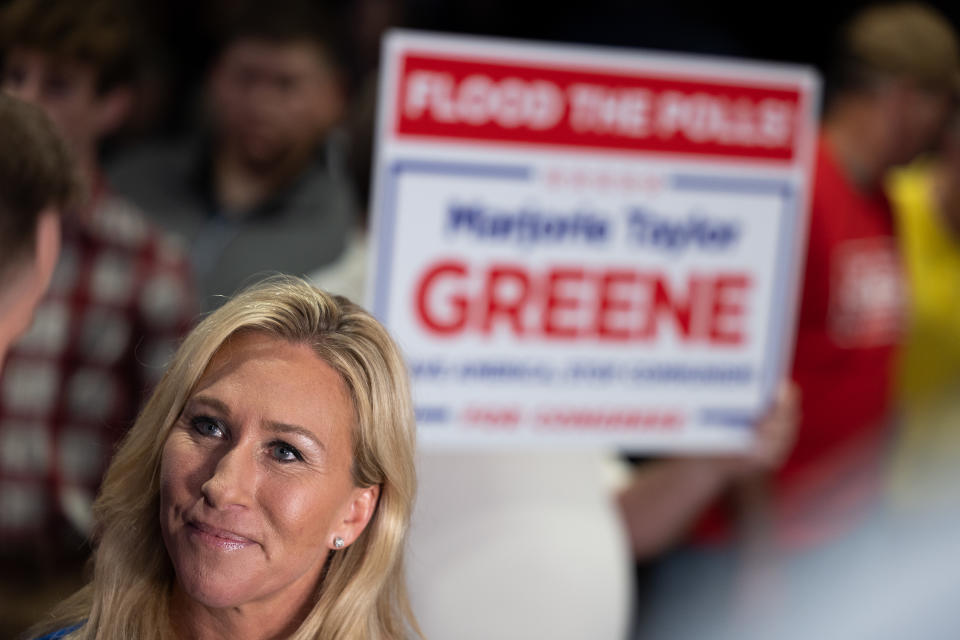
65 90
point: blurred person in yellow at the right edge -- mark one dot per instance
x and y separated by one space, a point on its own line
926 197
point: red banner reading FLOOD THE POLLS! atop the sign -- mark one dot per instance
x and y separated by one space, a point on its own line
497 102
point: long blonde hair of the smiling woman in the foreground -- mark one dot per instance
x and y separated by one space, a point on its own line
362 593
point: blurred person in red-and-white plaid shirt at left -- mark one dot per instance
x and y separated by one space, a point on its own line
120 297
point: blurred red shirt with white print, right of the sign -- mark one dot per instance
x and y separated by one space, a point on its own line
850 322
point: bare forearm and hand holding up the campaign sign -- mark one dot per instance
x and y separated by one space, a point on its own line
664 498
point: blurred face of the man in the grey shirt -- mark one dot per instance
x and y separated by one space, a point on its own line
273 99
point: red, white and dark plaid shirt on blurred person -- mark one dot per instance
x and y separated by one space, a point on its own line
120 299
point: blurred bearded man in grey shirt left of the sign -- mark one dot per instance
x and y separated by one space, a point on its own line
261 189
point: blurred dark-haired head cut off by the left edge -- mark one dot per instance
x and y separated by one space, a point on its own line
36 182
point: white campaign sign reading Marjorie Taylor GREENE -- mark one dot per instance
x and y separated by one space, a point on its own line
587 246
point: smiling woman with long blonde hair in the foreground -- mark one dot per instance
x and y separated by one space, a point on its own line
266 488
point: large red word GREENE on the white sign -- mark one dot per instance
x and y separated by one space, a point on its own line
567 303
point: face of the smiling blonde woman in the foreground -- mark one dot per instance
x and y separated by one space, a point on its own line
255 476
